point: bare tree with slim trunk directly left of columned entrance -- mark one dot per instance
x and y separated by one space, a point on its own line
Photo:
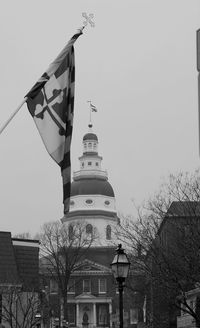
62 248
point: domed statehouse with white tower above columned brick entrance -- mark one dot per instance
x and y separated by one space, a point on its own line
93 299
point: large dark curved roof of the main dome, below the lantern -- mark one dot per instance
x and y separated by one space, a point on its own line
91 187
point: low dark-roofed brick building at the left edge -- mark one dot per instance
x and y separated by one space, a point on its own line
19 279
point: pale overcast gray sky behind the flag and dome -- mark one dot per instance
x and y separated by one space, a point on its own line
138 66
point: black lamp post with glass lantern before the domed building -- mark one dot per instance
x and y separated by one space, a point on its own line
120 267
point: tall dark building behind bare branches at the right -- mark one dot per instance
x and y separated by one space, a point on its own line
175 264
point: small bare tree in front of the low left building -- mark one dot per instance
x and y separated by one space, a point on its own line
19 308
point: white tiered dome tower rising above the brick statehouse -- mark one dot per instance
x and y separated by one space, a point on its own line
92 196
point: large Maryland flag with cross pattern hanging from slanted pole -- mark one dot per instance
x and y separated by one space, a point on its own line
51 104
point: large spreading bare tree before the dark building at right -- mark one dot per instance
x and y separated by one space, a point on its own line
167 232
